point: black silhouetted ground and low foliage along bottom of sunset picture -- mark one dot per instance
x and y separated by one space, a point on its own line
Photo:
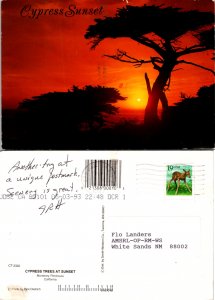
33 126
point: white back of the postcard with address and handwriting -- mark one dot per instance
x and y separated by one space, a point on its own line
129 242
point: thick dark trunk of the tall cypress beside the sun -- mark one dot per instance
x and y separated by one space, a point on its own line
157 92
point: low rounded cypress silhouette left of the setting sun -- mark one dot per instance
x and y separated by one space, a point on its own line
56 118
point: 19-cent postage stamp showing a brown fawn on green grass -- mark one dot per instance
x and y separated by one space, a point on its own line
179 180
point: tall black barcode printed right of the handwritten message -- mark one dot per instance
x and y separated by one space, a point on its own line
103 173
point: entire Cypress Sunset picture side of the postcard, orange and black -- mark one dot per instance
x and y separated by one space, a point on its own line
107 74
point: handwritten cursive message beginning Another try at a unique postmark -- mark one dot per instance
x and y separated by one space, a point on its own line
49 179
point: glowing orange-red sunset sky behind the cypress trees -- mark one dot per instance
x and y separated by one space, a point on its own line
51 54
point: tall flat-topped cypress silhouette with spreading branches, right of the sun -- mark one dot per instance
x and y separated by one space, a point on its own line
162 29
